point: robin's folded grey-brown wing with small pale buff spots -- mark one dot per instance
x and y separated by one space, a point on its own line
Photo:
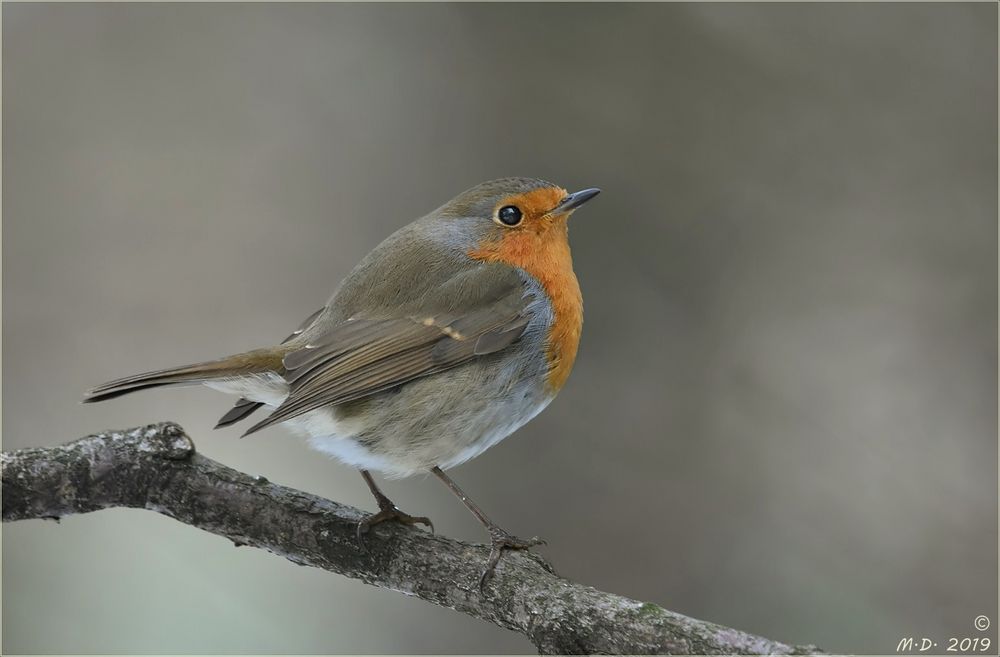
362 357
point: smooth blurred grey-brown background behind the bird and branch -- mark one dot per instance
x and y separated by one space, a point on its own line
784 413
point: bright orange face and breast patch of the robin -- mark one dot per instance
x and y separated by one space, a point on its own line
540 246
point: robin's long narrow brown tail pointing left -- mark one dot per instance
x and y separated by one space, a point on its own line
261 360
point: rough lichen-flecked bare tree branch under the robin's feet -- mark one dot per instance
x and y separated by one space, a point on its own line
155 467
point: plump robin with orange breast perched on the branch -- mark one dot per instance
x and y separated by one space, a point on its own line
449 336
